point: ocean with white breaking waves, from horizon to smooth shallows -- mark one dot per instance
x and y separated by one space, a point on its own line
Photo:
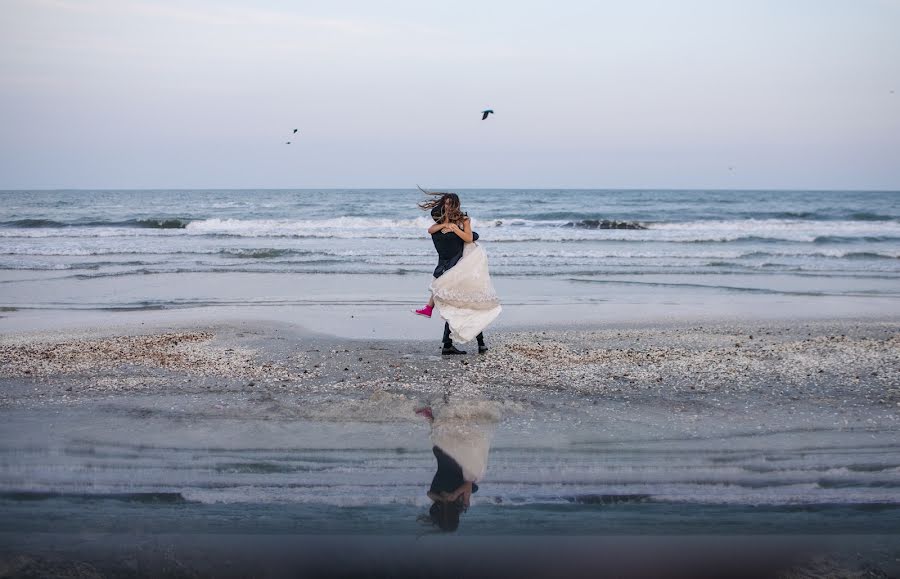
84 234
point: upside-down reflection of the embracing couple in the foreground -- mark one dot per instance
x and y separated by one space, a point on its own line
461 437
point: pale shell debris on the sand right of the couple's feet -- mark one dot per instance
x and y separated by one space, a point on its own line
594 362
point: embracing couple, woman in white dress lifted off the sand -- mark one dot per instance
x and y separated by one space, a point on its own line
461 287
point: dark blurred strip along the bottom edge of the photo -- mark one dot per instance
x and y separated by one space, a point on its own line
233 555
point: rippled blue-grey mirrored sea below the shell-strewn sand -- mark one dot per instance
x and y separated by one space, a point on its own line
536 471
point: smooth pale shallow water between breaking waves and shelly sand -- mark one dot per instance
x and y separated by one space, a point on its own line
379 306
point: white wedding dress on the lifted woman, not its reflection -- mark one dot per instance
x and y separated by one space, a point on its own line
465 295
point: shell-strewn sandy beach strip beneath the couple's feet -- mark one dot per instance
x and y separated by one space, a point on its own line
838 364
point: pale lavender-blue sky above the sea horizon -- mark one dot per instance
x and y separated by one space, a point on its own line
722 94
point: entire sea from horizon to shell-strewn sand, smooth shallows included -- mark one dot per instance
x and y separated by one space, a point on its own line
353 263
